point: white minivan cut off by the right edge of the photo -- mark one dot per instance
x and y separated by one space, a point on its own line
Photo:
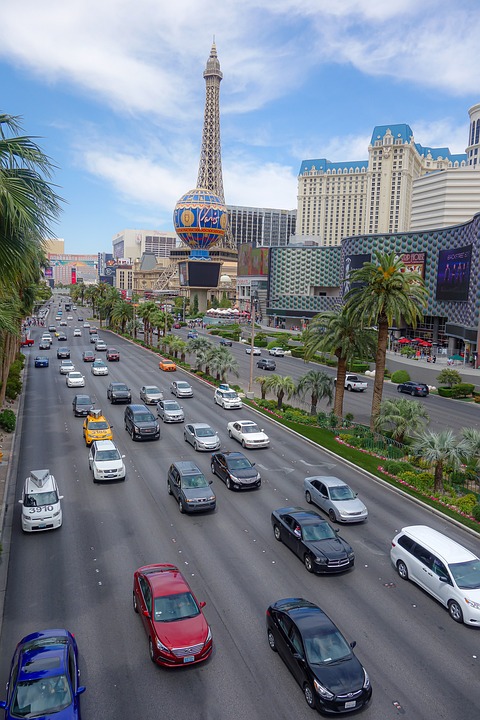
442 567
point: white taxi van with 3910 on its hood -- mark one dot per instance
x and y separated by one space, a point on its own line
41 502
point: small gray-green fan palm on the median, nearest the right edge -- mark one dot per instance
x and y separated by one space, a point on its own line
440 449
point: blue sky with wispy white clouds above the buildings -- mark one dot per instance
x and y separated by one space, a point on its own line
114 93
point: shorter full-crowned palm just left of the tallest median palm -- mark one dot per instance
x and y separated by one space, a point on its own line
336 333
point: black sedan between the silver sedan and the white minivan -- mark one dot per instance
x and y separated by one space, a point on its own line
313 539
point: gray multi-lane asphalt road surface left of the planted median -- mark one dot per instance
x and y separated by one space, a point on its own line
422 664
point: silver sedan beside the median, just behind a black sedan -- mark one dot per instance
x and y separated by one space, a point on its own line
336 498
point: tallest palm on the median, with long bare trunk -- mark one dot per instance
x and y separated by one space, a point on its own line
383 293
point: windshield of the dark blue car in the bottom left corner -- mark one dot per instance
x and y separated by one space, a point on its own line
44 696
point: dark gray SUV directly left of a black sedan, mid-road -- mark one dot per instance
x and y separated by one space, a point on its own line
190 487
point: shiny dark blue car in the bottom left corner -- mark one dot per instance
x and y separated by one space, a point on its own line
44 678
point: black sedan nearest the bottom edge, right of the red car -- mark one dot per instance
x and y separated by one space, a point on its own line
318 656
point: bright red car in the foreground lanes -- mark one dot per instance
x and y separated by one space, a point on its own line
178 633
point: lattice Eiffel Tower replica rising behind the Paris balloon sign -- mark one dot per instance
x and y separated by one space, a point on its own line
210 167
